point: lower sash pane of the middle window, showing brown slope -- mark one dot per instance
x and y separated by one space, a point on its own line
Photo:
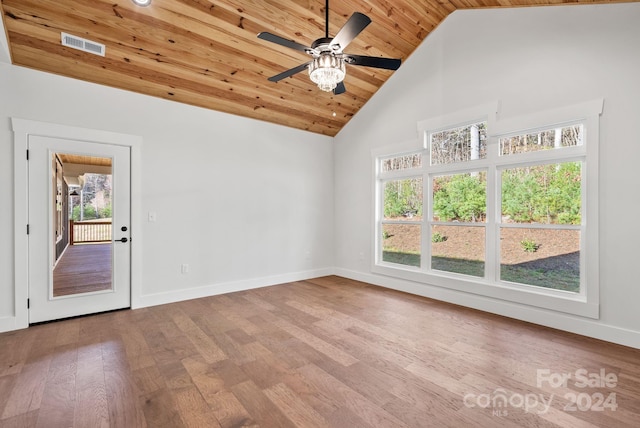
458 249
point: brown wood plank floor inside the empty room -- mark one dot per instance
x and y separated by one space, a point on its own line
327 352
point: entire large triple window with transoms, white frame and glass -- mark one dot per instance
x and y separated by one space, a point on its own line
498 208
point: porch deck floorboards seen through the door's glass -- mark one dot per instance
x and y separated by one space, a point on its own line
83 269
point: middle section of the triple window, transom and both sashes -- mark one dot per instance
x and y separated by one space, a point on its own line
458 208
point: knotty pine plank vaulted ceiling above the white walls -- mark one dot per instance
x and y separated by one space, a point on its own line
206 53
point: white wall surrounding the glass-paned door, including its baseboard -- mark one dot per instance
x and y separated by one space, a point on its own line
244 203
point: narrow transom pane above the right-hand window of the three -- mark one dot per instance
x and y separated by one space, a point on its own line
542 140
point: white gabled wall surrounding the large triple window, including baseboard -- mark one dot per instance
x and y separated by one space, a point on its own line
530 59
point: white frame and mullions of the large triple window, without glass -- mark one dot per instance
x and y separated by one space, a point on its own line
586 302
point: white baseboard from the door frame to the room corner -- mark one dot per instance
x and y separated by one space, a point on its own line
226 287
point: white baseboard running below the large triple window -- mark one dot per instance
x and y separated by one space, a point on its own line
573 324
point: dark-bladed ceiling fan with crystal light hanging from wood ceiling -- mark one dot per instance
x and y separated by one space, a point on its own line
327 68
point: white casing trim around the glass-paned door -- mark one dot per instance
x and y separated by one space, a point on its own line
22 129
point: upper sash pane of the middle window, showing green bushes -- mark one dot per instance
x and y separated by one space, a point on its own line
460 197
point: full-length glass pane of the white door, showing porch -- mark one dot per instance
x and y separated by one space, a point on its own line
83 246
